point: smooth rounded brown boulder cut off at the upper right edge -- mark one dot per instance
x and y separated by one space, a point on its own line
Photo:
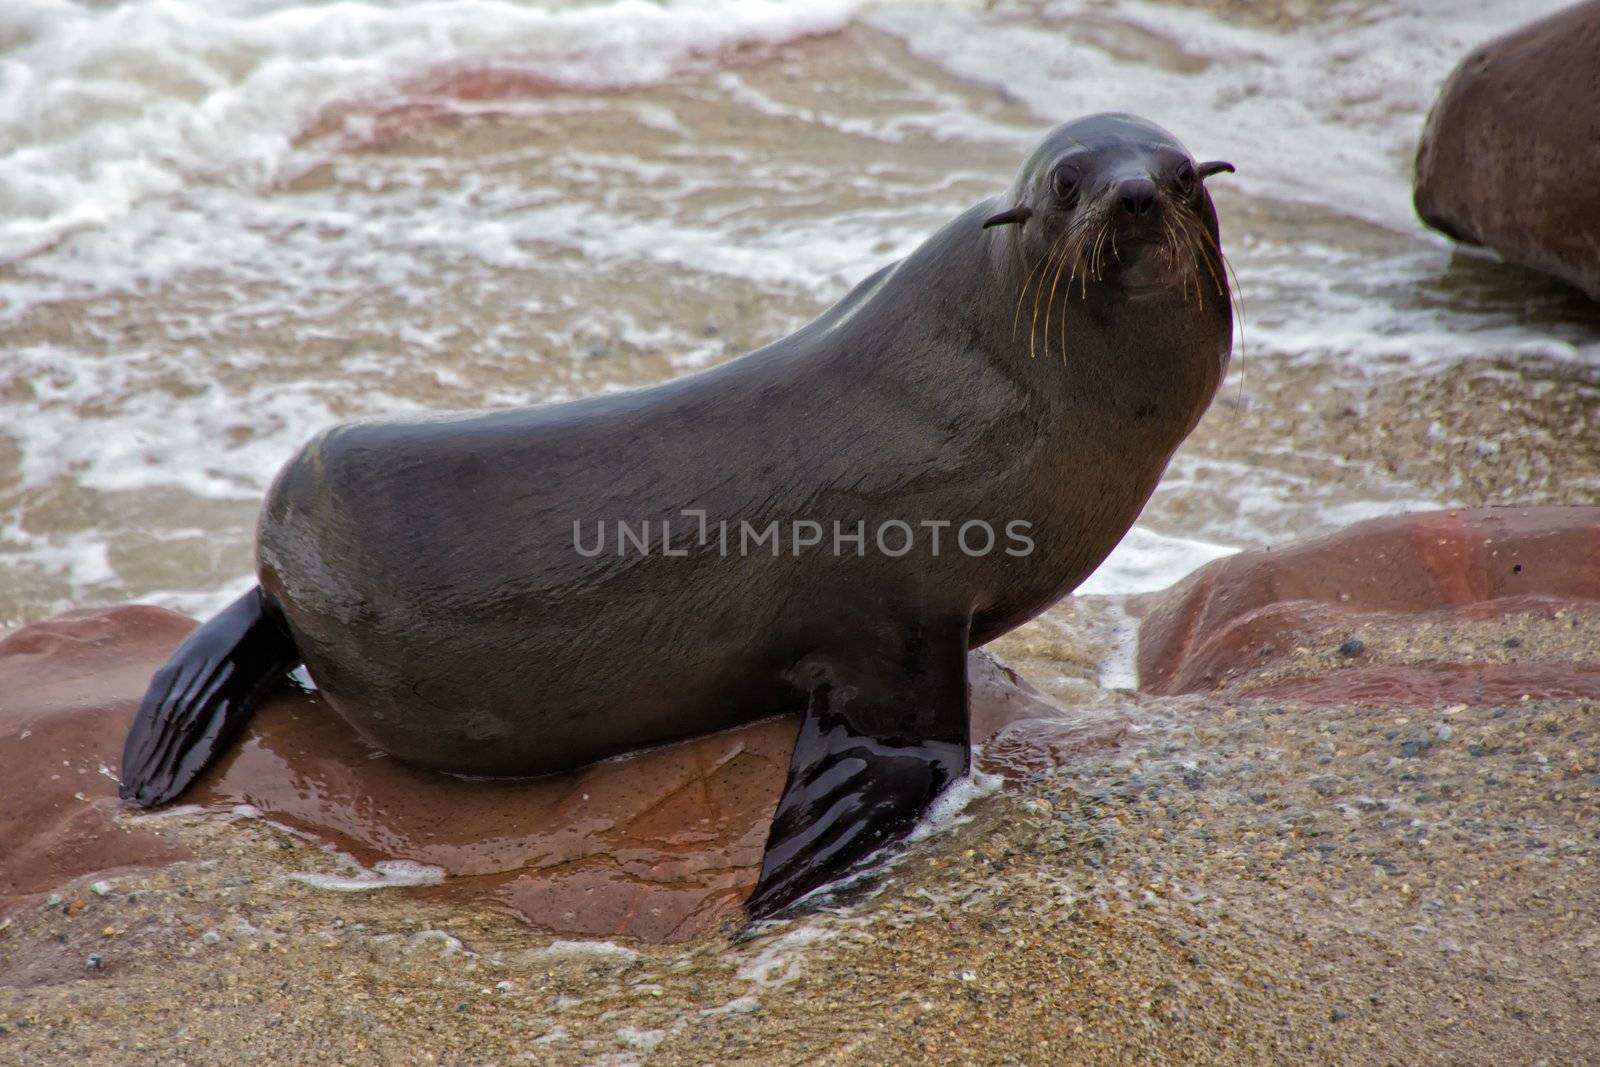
1513 148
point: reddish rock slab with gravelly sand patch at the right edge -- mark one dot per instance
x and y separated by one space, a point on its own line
1236 623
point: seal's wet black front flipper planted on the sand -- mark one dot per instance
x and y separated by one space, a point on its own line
881 740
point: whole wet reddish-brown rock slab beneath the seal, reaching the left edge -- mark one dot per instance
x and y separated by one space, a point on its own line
658 845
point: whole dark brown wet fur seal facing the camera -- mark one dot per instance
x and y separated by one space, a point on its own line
825 526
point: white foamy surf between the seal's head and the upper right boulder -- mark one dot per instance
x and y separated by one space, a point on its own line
1322 113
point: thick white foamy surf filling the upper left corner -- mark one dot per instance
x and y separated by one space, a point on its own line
103 108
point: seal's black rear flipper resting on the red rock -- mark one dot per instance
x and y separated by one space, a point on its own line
204 695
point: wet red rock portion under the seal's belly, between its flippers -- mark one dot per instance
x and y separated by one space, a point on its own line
655 847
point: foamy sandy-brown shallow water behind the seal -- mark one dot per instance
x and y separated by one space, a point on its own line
231 225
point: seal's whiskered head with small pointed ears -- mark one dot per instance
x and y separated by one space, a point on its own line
1116 202
